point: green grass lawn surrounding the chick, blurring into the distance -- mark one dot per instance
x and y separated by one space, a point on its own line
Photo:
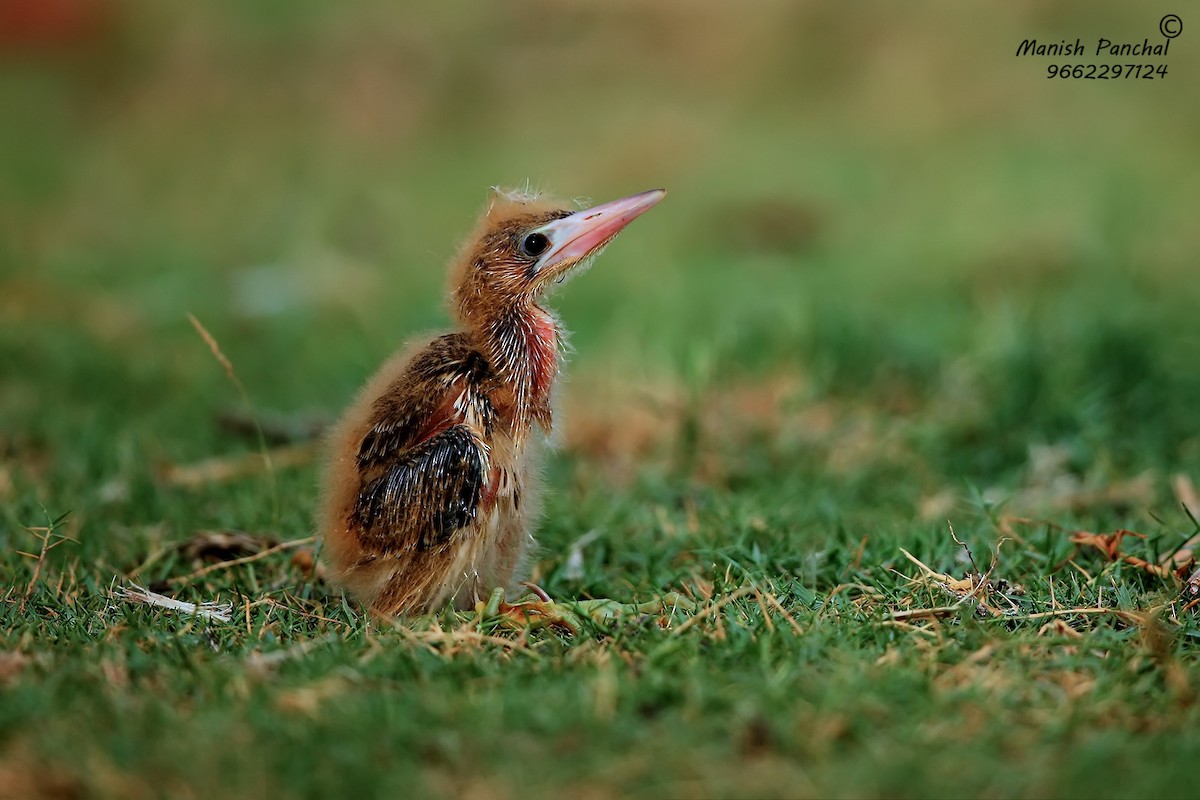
901 280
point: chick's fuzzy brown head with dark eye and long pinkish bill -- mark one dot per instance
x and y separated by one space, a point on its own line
524 244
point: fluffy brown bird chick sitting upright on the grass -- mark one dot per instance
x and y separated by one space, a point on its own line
431 486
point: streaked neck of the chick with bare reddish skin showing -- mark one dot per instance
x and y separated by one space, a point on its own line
523 347
